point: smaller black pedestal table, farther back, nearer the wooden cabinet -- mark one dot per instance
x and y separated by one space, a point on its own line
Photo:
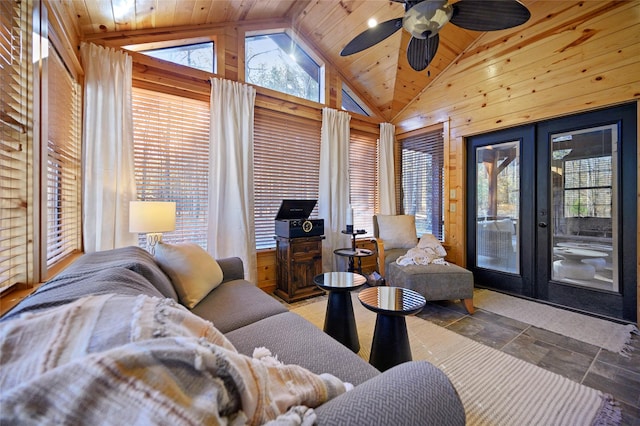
339 321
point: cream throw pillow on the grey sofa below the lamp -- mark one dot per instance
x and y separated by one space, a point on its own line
192 270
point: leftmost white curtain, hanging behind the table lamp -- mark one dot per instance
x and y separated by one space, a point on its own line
108 172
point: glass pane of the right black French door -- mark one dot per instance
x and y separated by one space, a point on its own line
583 176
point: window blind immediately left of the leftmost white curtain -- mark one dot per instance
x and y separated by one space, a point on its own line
63 162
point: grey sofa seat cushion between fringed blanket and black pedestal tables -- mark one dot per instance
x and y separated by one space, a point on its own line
295 340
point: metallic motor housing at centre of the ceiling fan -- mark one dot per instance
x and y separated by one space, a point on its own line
426 18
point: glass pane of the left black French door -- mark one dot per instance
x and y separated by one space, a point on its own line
498 207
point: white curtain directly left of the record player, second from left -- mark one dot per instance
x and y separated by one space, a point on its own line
231 190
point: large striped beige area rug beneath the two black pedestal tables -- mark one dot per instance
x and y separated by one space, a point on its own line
495 388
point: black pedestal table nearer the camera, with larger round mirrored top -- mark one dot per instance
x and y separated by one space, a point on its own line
390 344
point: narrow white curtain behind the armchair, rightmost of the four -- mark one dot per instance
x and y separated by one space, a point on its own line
386 171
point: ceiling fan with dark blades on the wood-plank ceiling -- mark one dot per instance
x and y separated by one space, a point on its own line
423 19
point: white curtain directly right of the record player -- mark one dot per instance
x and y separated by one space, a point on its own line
334 184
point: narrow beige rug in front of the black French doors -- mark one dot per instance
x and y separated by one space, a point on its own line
604 334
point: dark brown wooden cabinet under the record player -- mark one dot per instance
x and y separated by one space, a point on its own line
298 260
